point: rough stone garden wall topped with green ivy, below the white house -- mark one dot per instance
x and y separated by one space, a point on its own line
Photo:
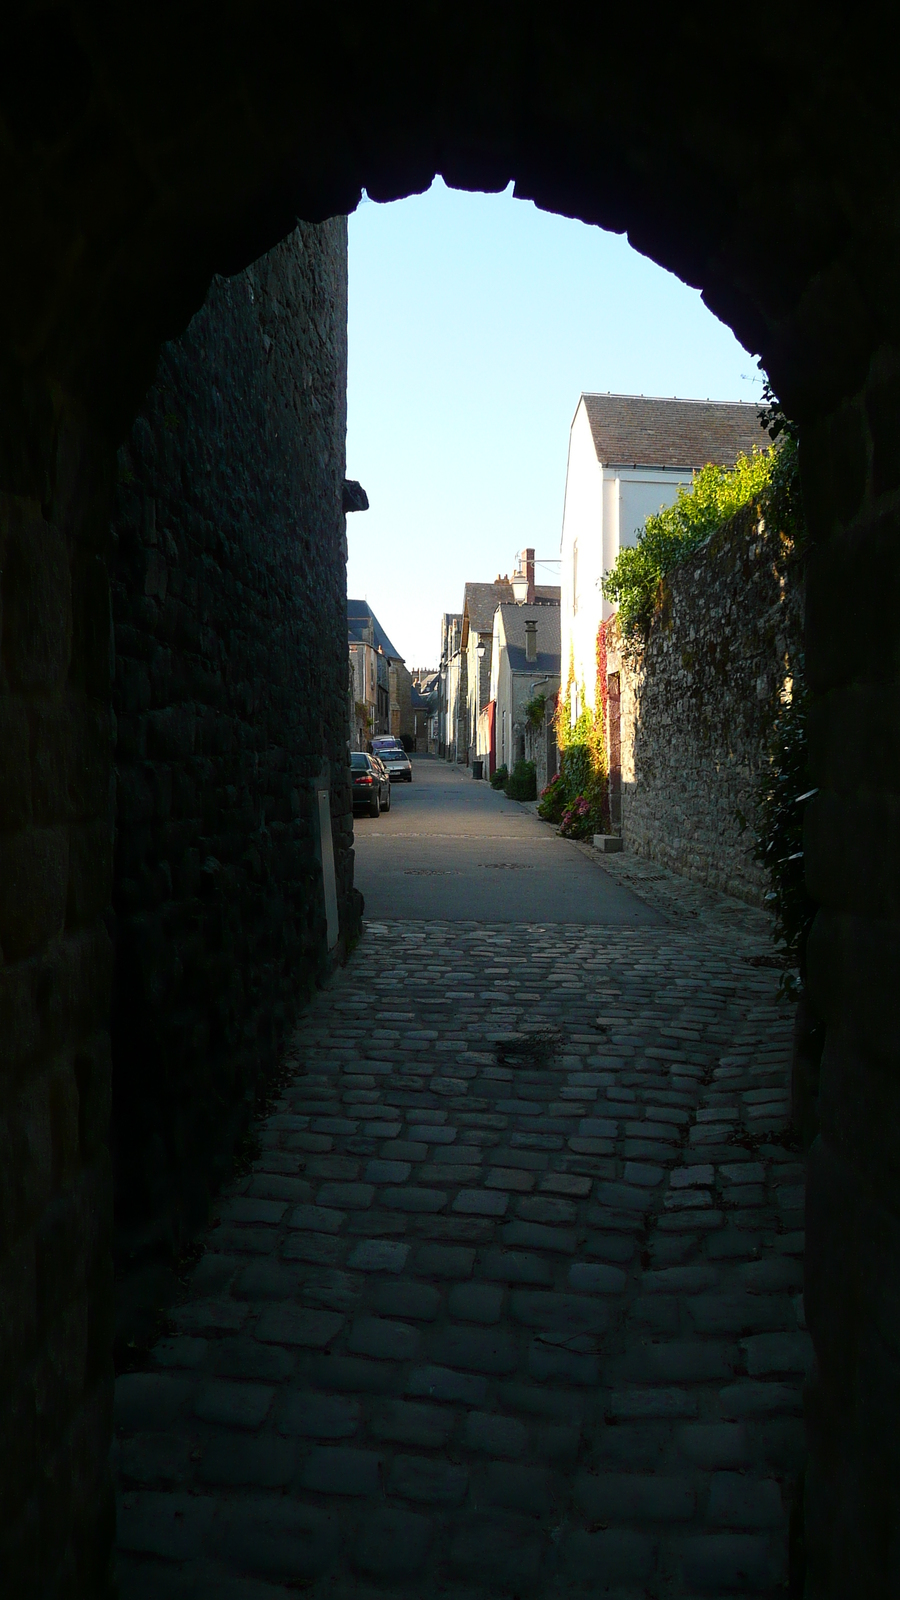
699 698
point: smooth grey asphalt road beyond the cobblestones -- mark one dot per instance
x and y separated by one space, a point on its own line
452 849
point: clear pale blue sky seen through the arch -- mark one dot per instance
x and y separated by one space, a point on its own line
475 324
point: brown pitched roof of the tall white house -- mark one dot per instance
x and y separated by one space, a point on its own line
640 431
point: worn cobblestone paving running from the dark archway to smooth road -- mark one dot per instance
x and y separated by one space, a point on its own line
510 1300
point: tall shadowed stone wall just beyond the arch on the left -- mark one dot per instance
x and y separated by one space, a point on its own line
230 607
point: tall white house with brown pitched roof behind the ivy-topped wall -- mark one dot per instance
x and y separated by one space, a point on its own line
629 455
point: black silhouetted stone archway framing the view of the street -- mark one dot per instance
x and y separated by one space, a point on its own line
142 156
